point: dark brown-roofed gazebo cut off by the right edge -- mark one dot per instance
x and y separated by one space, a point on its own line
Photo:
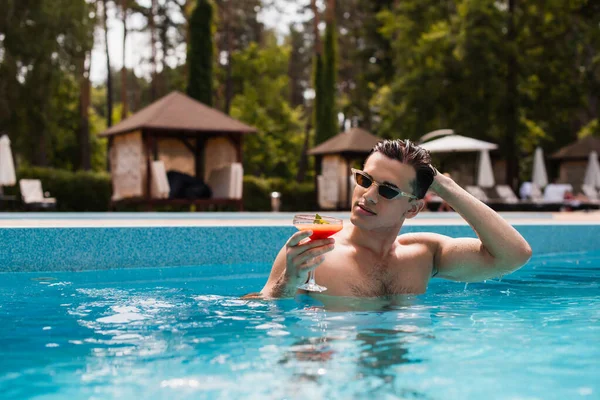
572 159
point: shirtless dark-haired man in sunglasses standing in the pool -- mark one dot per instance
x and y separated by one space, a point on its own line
369 258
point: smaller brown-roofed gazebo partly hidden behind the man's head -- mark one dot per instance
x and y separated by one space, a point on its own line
334 159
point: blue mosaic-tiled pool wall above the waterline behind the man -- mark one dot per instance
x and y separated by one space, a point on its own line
78 249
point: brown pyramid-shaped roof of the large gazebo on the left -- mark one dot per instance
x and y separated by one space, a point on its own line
178 112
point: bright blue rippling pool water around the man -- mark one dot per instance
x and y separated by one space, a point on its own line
183 333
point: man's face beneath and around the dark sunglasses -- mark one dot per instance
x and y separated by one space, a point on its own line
369 209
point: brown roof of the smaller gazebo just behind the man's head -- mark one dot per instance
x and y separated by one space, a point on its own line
354 140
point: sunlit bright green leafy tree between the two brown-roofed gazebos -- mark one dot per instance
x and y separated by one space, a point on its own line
263 103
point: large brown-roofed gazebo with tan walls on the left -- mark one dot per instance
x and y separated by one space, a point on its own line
182 135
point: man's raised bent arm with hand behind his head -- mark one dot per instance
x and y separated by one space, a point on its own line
499 250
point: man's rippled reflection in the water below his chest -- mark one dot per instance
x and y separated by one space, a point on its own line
358 346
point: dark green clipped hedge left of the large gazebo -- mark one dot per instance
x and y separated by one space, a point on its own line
74 191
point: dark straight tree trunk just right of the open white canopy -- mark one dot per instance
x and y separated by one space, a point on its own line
512 101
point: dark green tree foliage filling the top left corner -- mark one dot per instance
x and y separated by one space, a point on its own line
42 44
